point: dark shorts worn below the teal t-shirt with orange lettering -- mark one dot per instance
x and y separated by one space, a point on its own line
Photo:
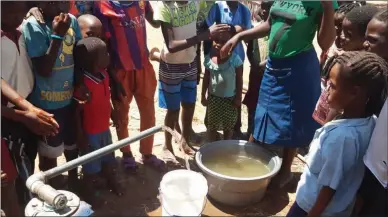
53 146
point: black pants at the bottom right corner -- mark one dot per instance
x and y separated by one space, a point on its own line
374 196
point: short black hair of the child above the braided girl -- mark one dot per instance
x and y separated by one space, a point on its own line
361 16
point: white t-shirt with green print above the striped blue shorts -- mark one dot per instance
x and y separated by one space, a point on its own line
183 18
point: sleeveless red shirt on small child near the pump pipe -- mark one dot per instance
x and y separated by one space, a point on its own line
97 110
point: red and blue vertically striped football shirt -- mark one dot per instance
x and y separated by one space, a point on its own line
124 24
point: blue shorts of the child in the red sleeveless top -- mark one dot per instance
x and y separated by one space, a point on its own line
97 141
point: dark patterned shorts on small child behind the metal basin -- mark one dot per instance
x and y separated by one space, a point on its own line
221 115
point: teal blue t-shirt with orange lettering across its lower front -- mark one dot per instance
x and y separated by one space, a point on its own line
56 91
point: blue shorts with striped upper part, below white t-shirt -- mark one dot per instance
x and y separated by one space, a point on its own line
177 84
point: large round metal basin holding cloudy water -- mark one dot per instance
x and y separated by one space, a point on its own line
232 190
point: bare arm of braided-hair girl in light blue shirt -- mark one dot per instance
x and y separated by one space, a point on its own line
324 197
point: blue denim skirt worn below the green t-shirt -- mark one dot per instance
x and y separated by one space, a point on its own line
288 95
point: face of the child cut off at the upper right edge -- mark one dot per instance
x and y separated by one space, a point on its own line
377 35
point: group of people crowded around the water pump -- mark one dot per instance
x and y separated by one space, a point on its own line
69 67
